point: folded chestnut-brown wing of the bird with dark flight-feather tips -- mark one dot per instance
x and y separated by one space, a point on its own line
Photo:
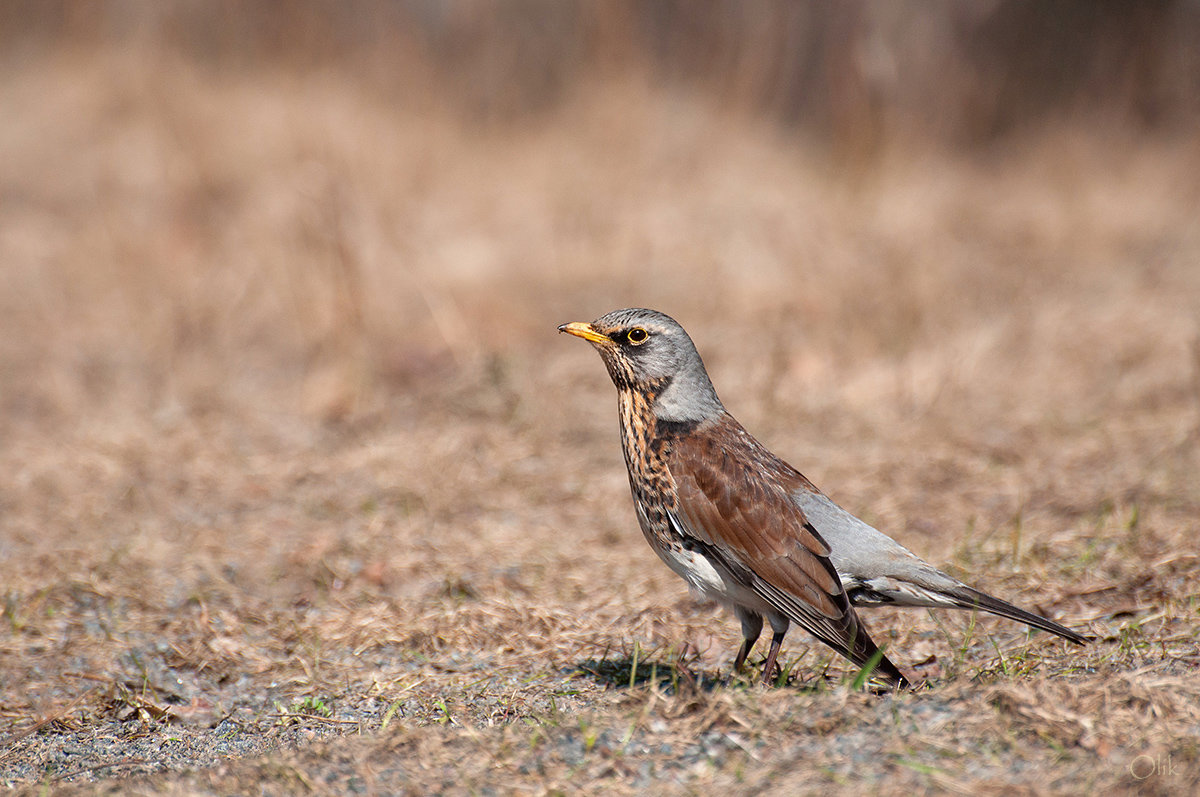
734 500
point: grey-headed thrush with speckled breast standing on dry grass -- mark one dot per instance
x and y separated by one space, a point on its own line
743 528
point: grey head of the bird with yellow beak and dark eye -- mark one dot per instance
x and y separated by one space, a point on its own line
650 352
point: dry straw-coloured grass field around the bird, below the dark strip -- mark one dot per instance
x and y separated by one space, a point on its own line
302 493
